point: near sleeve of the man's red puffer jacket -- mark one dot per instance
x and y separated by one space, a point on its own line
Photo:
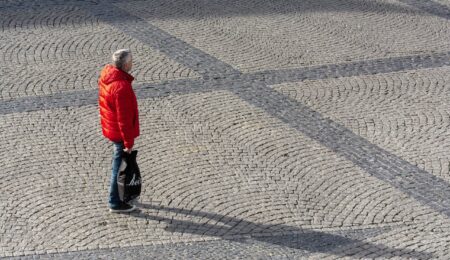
125 113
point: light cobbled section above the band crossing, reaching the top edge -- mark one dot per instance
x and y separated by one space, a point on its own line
256 36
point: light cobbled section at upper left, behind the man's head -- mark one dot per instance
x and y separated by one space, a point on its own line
60 48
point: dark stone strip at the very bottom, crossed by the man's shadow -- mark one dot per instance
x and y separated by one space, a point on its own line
284 246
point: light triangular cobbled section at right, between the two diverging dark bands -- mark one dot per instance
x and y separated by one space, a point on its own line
416 119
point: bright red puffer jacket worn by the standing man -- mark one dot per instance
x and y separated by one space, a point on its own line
118 106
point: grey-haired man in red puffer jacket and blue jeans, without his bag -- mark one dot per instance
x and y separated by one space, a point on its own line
119 117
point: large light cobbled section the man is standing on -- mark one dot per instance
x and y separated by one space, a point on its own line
182 174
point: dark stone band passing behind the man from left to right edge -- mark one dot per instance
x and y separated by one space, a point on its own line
184 86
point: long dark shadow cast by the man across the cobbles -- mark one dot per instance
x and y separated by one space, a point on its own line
238 230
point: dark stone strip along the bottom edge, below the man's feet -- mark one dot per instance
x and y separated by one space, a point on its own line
243 247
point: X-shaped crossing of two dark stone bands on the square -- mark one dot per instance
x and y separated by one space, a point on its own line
377 162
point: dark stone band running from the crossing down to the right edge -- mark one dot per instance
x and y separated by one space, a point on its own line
426 188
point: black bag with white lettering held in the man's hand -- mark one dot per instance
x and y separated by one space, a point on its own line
129 179
